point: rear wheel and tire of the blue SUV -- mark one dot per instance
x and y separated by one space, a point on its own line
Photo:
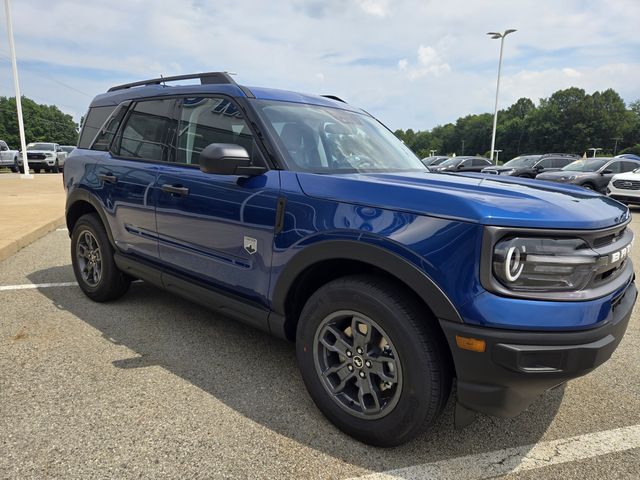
93 264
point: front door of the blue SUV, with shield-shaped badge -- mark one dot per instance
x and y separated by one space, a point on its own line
216 229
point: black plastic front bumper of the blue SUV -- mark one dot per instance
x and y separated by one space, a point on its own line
518 366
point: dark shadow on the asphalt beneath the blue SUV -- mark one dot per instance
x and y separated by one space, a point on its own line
257 376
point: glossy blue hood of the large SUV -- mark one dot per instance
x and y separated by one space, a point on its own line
478 198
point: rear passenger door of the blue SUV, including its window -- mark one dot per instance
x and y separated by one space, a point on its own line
129 170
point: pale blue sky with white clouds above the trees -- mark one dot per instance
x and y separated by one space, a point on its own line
412 64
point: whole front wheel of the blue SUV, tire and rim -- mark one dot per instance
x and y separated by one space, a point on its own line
414 362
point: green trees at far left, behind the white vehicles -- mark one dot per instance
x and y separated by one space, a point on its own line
42 123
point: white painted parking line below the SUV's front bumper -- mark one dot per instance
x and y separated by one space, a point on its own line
518 459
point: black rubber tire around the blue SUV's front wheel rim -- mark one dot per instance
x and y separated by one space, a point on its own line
412 409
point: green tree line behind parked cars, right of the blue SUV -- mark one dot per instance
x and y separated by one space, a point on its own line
569 121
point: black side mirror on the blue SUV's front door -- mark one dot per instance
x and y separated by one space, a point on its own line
228 159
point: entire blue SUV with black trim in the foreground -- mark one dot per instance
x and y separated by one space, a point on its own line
307 218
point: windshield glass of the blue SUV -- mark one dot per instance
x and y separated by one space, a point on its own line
330 140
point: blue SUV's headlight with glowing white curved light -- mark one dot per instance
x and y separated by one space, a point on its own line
525 264
